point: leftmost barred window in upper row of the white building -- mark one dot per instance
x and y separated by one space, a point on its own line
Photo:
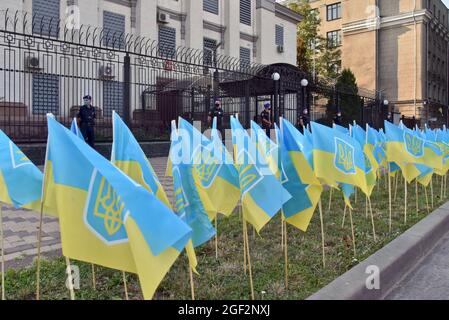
46 17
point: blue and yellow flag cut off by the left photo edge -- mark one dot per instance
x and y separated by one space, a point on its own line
20 179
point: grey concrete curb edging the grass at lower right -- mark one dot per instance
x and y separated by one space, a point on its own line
394 261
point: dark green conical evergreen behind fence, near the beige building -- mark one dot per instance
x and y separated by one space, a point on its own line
348 99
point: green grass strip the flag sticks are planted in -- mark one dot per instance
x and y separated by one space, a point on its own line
224 278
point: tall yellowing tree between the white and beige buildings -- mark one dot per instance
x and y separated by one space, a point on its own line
313 53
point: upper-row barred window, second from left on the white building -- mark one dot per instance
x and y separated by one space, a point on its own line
114 29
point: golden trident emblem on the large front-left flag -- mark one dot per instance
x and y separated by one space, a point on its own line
109 208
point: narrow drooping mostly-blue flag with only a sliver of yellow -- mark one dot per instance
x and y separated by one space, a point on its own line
189 204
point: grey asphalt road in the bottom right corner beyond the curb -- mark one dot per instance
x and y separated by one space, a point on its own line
429 279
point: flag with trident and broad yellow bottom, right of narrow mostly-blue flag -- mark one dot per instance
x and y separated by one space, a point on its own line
215 179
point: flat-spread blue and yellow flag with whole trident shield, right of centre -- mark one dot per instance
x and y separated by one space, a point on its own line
338 157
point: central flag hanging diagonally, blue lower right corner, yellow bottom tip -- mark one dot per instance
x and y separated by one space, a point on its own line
262 194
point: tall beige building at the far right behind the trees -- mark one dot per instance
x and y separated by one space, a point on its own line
398 47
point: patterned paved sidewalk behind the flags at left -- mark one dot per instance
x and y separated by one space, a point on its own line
21 227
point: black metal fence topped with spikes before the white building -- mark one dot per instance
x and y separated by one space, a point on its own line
45 67
